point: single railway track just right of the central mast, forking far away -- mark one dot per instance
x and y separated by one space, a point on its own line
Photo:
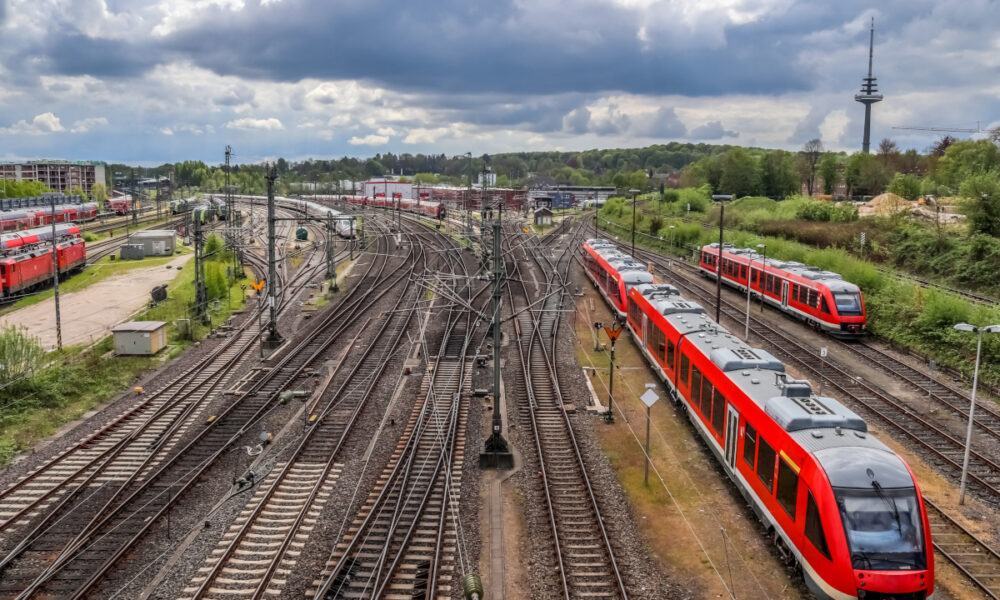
583 554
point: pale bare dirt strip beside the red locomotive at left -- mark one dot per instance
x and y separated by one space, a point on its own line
89 315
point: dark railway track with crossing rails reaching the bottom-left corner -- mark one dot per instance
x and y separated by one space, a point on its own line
65 560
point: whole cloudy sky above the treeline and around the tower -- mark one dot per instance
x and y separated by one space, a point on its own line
150 81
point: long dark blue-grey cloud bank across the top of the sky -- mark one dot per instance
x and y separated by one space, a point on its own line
454 45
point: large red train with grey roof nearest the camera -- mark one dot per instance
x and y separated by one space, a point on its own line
838 503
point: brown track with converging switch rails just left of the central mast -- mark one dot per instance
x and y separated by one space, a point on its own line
404 541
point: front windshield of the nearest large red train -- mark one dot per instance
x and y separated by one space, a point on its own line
884 528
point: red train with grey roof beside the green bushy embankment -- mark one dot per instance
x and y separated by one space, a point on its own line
821 298
